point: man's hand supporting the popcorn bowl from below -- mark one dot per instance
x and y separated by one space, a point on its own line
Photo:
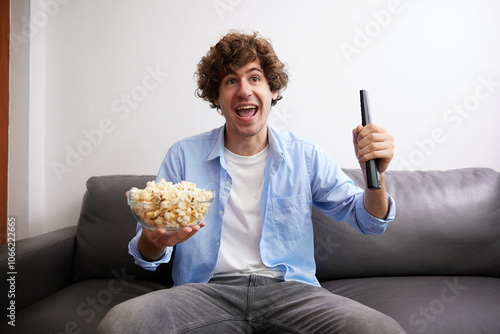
152 243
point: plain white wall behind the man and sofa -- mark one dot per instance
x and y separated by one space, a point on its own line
119 87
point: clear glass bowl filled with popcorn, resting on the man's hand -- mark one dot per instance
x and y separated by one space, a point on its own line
172 215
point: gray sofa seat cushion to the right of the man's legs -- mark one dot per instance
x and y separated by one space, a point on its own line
429 304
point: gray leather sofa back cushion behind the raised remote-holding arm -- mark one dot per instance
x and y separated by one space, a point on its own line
447 223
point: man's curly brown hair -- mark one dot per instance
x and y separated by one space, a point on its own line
232 52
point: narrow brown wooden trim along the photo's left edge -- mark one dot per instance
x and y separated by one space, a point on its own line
4 113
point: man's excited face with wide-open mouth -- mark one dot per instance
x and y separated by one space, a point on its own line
245 100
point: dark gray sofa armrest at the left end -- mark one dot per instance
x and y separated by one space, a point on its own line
43 265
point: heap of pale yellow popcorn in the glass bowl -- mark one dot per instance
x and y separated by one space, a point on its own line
169 205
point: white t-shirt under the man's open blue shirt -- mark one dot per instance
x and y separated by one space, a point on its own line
239 252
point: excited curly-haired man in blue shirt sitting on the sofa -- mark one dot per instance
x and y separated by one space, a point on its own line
250 267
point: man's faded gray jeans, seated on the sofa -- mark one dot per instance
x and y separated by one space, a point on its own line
246 304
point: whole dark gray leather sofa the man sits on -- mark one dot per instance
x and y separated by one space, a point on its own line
435 270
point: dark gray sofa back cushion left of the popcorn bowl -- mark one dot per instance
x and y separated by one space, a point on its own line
105 227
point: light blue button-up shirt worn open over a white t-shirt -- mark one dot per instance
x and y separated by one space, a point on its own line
298 174
